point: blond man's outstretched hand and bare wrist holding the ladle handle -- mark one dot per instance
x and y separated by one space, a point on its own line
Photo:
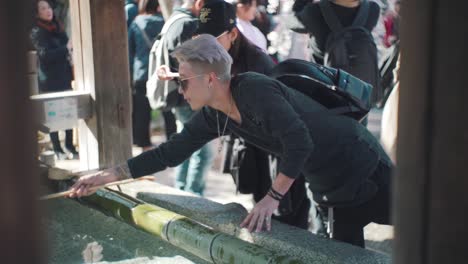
83 185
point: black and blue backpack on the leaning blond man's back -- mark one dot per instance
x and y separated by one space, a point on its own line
337 90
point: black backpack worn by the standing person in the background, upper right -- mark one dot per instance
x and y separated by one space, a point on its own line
352 48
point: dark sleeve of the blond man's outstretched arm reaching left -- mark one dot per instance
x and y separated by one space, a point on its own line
198 131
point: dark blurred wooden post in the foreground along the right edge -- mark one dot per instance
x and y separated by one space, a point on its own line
431 197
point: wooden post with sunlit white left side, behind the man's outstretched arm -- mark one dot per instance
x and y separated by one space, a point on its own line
99 36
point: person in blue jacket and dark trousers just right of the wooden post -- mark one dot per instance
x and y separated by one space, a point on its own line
141 35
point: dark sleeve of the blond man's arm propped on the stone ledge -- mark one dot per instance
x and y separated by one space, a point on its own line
284 123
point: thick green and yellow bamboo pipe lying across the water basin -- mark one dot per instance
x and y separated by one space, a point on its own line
180 231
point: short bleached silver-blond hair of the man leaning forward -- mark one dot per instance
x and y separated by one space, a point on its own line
205 55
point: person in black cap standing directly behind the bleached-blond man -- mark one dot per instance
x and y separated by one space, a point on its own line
253 174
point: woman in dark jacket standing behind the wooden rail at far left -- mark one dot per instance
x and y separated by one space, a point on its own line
55 71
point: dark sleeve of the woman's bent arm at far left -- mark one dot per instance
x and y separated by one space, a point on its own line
44 52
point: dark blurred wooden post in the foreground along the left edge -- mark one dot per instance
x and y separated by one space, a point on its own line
20 239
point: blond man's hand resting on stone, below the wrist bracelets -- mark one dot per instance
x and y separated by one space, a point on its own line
261 214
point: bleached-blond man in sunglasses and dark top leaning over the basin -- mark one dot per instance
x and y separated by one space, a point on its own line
347 169
